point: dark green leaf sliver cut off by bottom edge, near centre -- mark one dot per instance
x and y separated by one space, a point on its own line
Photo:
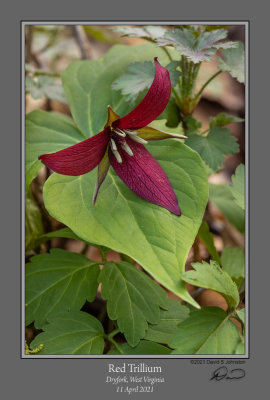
144 347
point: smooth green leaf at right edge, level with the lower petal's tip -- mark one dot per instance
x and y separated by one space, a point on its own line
222 197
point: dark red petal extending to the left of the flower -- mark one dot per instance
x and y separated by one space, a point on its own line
79 158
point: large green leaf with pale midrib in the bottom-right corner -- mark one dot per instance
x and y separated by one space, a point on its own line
206 331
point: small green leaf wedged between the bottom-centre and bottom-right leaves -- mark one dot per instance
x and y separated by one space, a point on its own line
164 331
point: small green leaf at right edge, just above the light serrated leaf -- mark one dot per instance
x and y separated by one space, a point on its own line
233 262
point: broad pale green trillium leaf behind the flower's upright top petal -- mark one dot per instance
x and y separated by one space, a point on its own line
87 84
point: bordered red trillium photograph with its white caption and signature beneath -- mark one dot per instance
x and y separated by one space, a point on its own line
135 152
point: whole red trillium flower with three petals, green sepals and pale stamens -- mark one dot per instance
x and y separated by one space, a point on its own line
121 144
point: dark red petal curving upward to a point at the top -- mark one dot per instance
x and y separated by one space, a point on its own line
153 103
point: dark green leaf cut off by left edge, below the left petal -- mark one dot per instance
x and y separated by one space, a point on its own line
33 224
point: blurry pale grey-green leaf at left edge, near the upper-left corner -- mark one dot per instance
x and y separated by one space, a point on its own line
45 86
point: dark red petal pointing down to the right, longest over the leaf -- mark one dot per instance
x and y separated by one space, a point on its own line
145 177
